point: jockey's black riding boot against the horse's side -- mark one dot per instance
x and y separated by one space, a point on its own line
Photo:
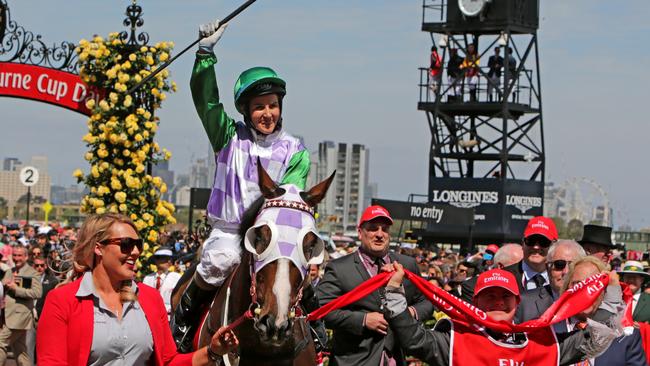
187 314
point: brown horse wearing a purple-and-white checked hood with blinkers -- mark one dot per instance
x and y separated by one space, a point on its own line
262 295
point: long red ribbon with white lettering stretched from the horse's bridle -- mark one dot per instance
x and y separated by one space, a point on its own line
573 301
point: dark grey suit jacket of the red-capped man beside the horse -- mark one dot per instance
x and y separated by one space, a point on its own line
352 343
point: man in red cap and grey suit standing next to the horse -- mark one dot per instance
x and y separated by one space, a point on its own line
361 334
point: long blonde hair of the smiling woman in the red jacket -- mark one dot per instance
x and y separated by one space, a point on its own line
96 229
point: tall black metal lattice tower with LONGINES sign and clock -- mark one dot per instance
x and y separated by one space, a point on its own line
487 141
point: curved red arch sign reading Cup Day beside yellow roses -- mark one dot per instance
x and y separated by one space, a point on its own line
46 85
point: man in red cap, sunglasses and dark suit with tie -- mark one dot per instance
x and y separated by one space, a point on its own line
530 273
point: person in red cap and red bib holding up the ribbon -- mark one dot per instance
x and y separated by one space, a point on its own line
456 343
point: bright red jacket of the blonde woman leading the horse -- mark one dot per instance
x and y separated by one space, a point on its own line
65 328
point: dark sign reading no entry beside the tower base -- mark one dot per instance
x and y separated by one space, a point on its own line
441 214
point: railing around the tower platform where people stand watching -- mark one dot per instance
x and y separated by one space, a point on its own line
522 92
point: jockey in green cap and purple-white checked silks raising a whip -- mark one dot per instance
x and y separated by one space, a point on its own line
259 92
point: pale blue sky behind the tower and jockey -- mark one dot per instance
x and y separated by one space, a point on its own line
351 68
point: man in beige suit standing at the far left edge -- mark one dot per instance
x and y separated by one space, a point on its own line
22 286
